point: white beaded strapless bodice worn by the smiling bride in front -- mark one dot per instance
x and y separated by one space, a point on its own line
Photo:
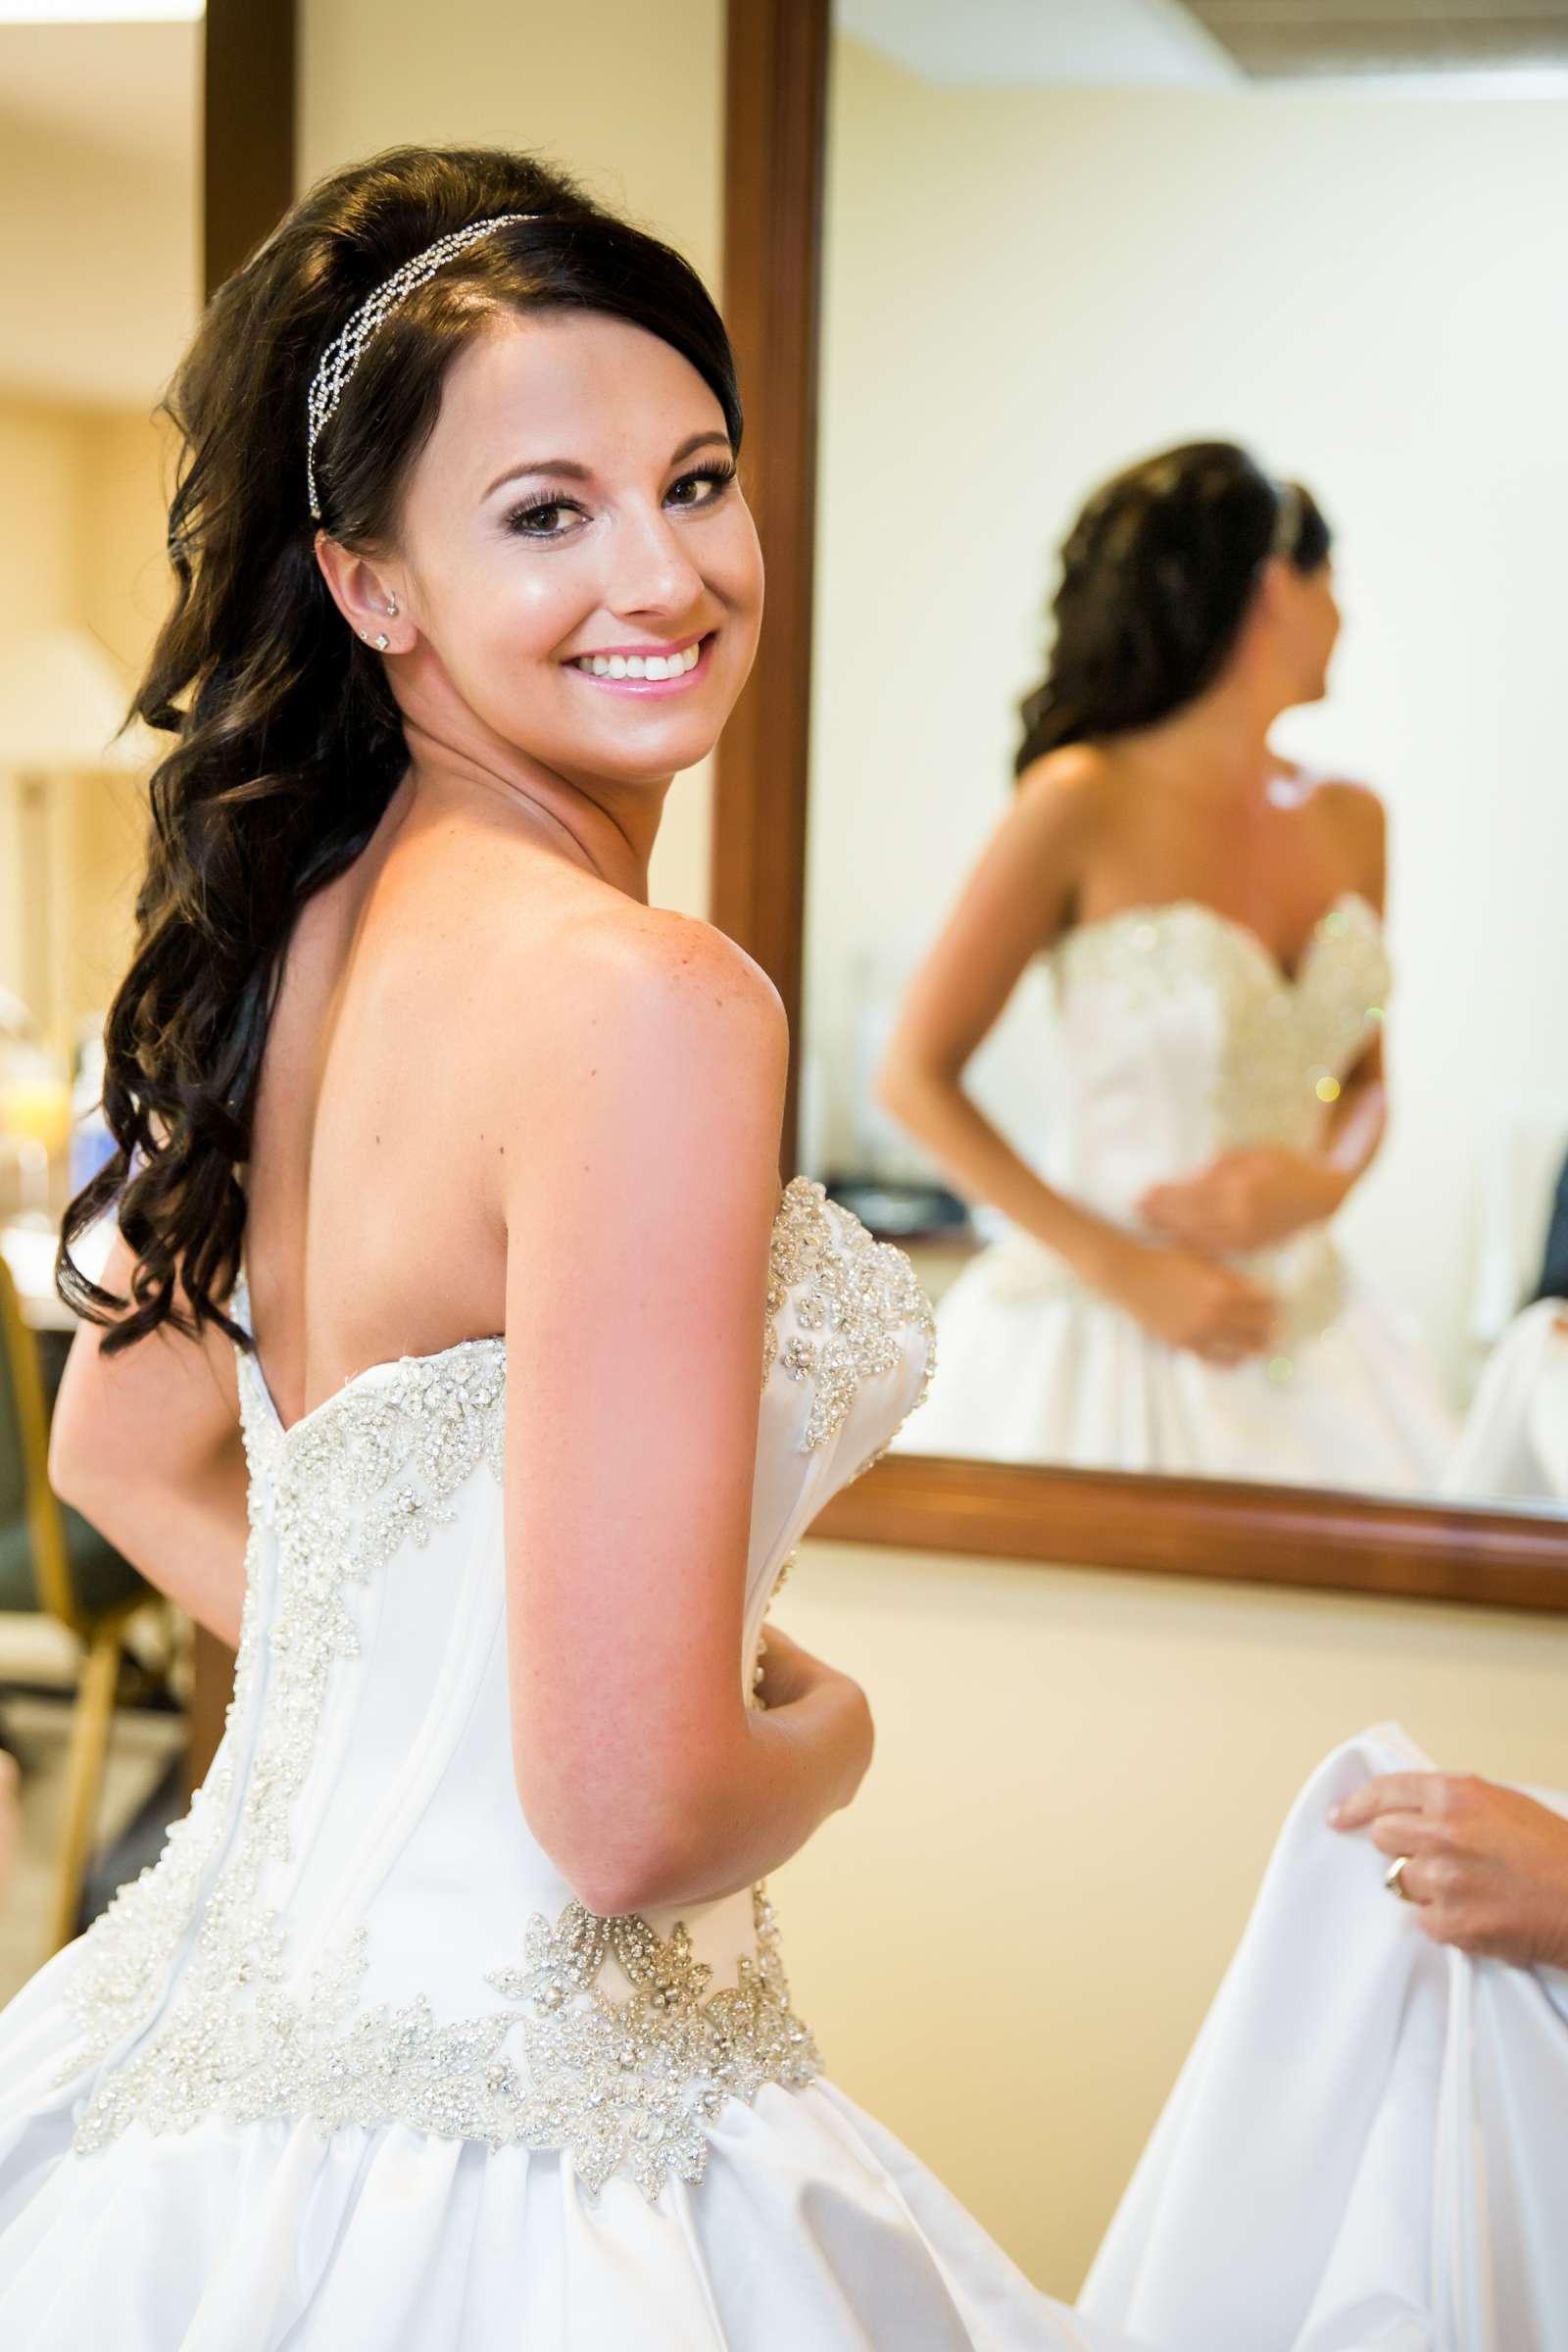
354 1920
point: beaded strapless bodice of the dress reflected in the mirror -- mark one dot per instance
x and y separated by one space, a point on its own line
1179 1038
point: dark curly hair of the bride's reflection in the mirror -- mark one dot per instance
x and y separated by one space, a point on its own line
1158 577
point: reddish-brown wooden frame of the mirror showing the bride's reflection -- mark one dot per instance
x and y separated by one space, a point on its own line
775 159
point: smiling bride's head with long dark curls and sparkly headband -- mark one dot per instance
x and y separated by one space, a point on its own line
556 314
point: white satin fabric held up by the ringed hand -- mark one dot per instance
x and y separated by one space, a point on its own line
1365 2151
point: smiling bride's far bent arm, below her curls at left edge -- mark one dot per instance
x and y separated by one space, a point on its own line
147 1445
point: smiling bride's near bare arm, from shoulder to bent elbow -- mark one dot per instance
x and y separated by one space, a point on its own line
638 1194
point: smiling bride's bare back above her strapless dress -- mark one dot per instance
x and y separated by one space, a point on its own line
377 1151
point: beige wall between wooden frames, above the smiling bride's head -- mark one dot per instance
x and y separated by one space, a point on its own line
622 95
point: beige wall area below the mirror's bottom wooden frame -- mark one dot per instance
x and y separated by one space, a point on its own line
1010 1939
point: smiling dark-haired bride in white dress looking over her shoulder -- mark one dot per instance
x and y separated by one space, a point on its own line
462 1363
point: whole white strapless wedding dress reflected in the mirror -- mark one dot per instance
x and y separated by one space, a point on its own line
1181 1041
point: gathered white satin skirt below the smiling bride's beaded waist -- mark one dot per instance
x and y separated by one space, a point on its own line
815 2231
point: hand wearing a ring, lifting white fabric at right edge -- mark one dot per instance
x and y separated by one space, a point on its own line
1487 1869
